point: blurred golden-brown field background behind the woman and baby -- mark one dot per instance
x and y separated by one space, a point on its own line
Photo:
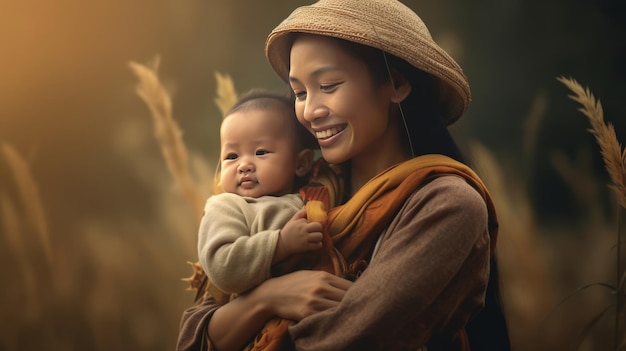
95 233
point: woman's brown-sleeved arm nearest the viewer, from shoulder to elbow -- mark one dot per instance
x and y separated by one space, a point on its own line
427 278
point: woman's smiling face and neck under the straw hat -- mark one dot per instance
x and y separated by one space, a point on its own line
337 100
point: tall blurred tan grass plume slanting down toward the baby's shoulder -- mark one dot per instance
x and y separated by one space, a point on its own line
167 132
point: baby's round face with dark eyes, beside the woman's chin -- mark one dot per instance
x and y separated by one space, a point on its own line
258 153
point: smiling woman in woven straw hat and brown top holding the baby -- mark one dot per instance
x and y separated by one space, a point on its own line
416 226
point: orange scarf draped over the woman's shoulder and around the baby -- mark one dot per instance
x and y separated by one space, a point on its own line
354 227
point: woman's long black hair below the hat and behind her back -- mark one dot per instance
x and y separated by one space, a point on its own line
428 134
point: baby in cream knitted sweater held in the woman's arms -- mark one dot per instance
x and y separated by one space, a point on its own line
258 220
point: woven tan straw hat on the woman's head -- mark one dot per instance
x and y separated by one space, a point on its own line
383 24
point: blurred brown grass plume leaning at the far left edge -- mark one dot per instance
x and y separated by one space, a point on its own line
29 194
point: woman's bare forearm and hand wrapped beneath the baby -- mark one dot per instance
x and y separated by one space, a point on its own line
293 296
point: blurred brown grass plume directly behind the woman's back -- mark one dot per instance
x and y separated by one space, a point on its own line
527 283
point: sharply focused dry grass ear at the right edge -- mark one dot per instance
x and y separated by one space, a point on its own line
613 154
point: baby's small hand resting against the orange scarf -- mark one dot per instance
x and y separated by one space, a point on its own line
300 235
